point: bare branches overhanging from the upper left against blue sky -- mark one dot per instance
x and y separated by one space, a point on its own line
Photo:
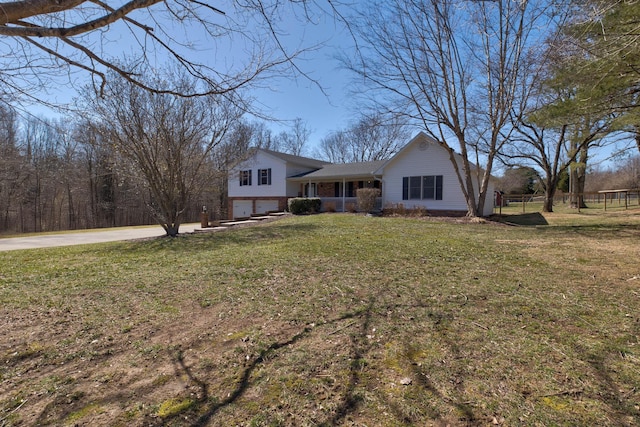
46 40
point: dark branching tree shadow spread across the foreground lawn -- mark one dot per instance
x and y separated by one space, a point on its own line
359 379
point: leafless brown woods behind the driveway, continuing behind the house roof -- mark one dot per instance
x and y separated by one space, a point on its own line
137 157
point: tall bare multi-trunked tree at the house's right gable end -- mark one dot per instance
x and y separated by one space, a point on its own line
457 68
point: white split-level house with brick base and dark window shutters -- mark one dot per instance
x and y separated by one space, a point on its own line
419 175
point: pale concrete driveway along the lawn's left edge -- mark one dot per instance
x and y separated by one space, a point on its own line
87 237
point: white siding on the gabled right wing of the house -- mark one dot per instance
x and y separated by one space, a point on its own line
412 161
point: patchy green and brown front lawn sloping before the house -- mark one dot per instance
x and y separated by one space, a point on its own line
328 320
